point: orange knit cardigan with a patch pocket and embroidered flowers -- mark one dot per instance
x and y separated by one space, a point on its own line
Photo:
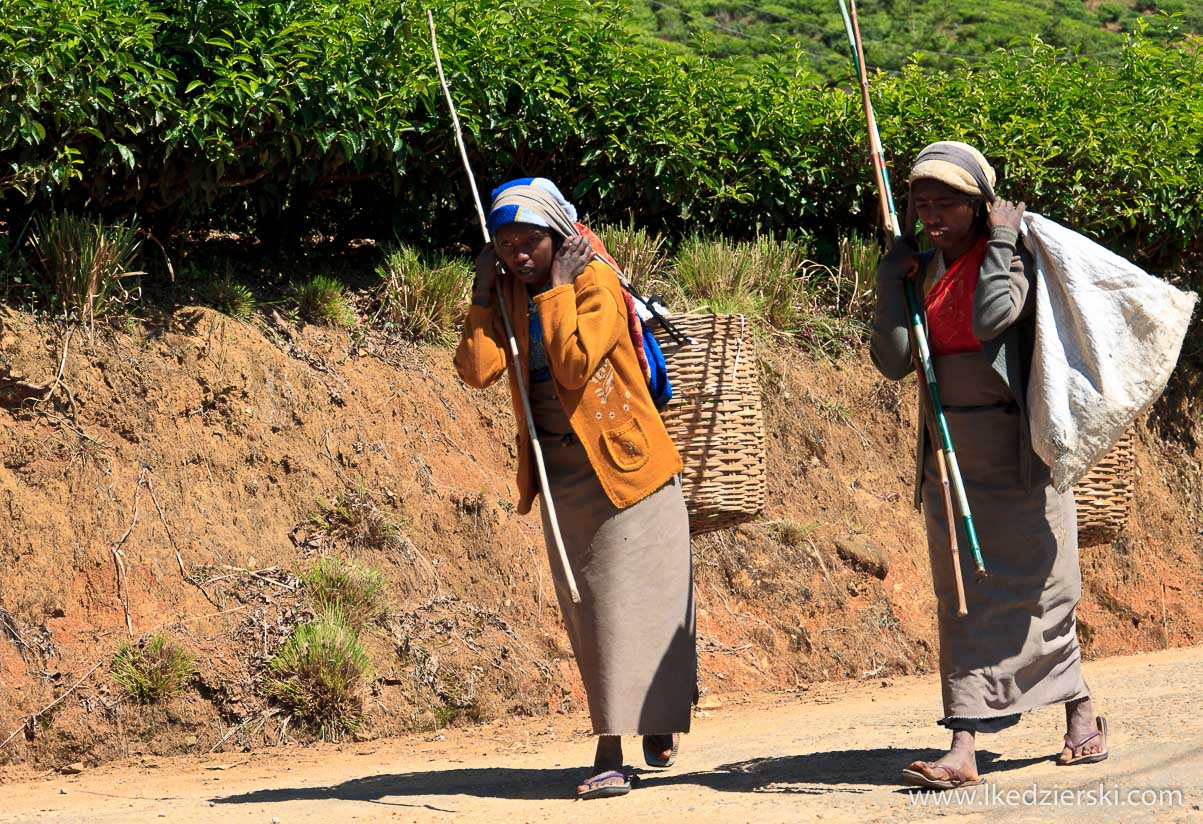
598 381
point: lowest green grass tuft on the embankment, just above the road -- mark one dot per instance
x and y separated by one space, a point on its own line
319 677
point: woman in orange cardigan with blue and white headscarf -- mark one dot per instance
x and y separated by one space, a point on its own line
612 469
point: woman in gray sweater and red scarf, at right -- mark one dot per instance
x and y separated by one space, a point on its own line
1017 650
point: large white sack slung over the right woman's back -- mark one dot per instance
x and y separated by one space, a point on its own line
1107 337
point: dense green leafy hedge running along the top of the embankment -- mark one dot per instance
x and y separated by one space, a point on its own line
315 115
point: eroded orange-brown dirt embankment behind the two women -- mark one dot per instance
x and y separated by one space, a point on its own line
182 491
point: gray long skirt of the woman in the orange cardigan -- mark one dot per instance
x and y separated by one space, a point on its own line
633 633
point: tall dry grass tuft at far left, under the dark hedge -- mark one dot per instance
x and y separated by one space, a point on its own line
86 263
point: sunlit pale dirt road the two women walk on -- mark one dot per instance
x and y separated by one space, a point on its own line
831 754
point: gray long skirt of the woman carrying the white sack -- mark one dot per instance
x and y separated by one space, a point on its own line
1017 650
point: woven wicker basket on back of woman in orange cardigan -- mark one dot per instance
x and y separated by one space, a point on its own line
716 420
